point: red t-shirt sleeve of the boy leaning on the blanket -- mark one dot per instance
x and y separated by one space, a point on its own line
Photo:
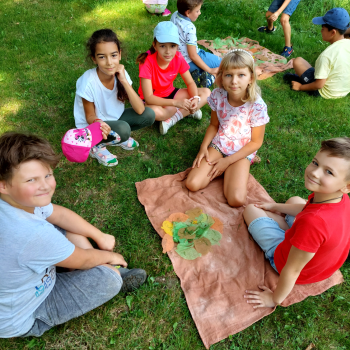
310 233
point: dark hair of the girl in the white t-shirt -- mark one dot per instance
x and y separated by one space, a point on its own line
107 36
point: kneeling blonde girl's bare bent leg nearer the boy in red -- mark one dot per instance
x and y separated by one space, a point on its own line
235 182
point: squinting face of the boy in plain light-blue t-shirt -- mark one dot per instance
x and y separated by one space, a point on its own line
32 185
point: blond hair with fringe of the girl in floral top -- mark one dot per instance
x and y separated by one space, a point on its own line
240 59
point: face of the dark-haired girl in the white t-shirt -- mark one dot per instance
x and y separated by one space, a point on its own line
107 57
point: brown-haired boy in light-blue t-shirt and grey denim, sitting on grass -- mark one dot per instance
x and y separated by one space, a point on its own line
36 236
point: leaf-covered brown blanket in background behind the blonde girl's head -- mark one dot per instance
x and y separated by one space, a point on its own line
267 63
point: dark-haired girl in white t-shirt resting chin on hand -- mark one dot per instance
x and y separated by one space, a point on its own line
101 94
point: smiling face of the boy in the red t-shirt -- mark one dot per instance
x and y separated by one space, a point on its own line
327 174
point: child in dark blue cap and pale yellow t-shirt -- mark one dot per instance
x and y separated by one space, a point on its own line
331 76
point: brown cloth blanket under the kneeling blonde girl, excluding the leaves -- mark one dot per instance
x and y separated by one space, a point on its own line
214 284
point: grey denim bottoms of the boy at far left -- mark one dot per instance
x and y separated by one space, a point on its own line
74 294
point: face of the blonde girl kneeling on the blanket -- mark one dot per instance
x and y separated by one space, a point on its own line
235 81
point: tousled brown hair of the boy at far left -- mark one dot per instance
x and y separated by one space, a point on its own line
17 148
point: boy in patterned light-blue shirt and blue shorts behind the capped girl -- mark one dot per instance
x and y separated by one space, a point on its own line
188 12
